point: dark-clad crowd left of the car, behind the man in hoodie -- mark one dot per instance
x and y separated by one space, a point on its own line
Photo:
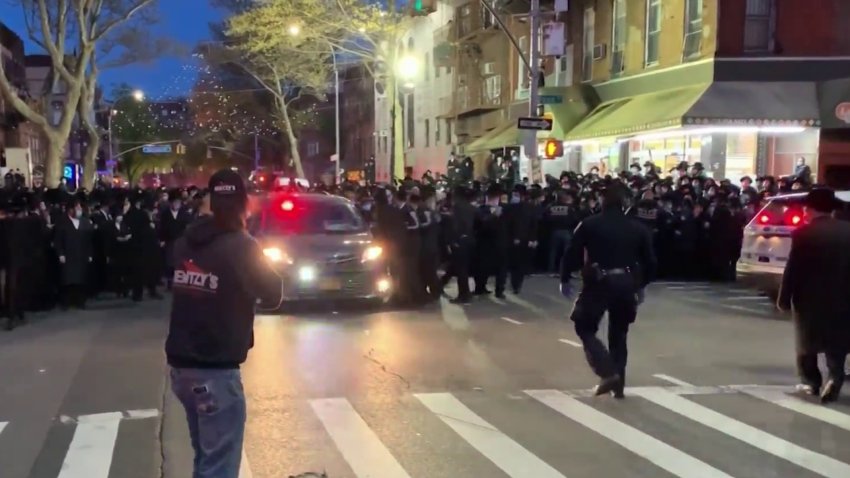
61 249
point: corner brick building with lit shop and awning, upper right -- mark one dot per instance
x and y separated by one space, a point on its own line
747 87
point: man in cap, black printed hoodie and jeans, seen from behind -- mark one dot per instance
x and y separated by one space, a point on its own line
219 273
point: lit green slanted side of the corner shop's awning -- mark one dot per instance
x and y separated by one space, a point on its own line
640 113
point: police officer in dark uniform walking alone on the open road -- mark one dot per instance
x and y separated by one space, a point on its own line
617 261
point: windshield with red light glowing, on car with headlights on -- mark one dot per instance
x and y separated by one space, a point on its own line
313 217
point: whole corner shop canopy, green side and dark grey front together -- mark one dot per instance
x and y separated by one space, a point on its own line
718 103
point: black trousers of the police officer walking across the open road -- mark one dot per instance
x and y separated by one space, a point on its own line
615 295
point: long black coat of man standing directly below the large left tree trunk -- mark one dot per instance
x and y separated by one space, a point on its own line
75 244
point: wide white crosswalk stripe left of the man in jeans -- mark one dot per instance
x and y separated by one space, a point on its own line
90 452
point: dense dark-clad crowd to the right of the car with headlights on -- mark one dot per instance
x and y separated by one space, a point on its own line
503 227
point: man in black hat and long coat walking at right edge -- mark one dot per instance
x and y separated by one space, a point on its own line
815 284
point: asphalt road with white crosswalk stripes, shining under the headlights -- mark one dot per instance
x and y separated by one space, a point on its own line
491 389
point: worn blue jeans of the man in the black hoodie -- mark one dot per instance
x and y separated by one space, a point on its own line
215 411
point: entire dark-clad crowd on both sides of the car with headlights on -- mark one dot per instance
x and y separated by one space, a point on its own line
62 249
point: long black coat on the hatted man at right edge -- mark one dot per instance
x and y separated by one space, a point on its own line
816 282
